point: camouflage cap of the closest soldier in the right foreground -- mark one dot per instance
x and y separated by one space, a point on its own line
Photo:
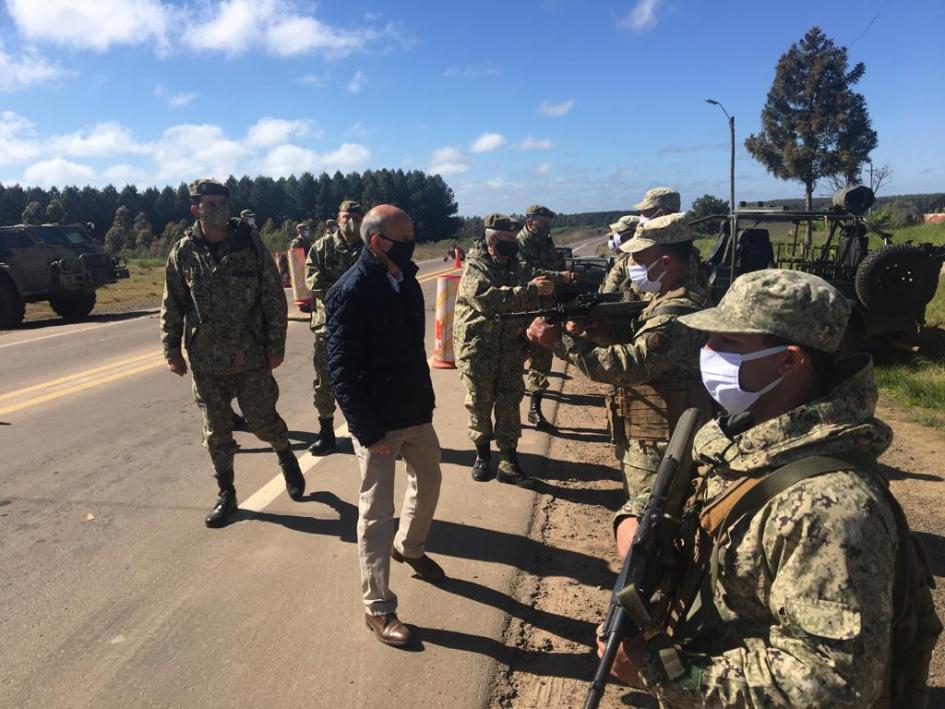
799 307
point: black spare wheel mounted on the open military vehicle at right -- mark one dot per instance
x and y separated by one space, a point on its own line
896 277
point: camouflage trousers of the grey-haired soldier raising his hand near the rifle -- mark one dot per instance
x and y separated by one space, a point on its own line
495 392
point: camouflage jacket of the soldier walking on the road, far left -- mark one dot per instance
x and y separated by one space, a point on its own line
230 311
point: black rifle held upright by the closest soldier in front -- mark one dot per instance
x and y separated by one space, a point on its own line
652 545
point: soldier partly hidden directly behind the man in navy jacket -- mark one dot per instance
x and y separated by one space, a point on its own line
327 261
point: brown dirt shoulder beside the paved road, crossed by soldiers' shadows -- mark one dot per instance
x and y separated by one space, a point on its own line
554 662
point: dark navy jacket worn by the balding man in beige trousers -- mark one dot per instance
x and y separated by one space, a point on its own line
379 371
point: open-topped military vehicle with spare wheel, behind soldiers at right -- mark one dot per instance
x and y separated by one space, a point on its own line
888 286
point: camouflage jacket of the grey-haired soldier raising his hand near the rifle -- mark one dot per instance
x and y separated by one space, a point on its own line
488 287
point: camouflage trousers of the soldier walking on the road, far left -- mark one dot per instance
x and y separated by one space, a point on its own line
257 393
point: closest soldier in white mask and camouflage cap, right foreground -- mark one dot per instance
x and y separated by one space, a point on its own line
799 611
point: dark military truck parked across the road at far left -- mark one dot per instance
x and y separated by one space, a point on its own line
51 262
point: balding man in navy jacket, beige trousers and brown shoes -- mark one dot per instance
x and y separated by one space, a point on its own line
381 381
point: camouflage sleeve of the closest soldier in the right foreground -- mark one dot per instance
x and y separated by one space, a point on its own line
827 548
